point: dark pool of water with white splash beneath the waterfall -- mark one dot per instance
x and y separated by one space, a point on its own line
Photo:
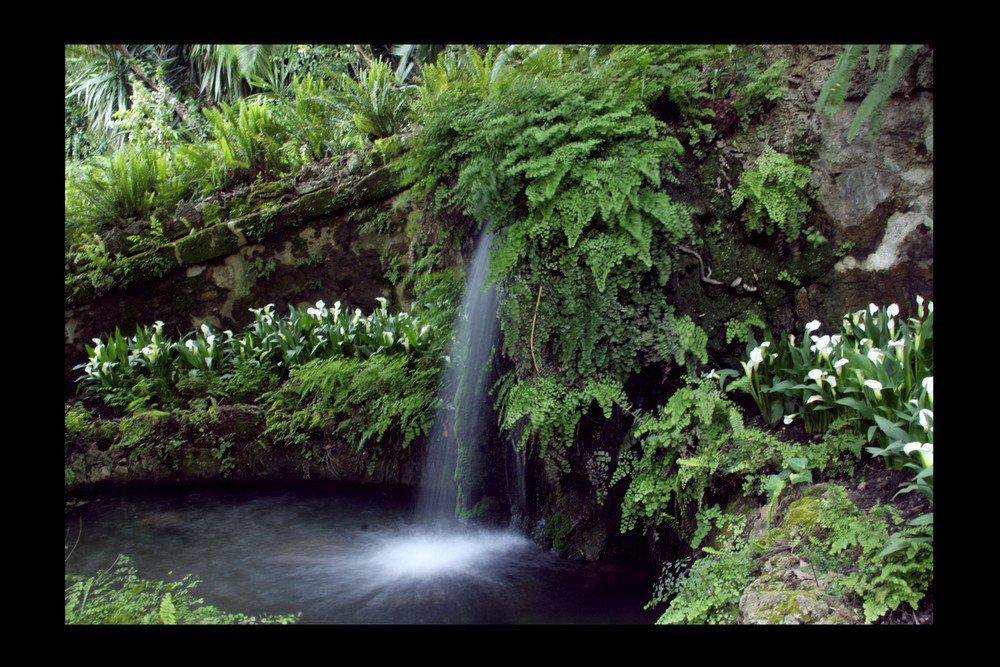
346 557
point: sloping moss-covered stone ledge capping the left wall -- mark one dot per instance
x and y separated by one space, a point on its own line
228 235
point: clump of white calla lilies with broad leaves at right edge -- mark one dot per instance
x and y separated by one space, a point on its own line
878 371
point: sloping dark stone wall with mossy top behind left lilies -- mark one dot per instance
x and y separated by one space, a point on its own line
312 245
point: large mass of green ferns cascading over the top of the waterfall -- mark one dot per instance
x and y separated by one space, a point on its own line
570 168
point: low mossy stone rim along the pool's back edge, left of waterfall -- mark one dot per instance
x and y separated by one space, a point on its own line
224 443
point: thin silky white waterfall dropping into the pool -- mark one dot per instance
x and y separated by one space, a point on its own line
463 418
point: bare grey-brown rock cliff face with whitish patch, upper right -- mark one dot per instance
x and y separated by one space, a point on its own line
873 203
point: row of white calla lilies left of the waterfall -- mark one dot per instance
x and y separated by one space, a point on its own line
127 369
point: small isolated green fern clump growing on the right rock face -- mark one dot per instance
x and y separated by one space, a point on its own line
777 193
